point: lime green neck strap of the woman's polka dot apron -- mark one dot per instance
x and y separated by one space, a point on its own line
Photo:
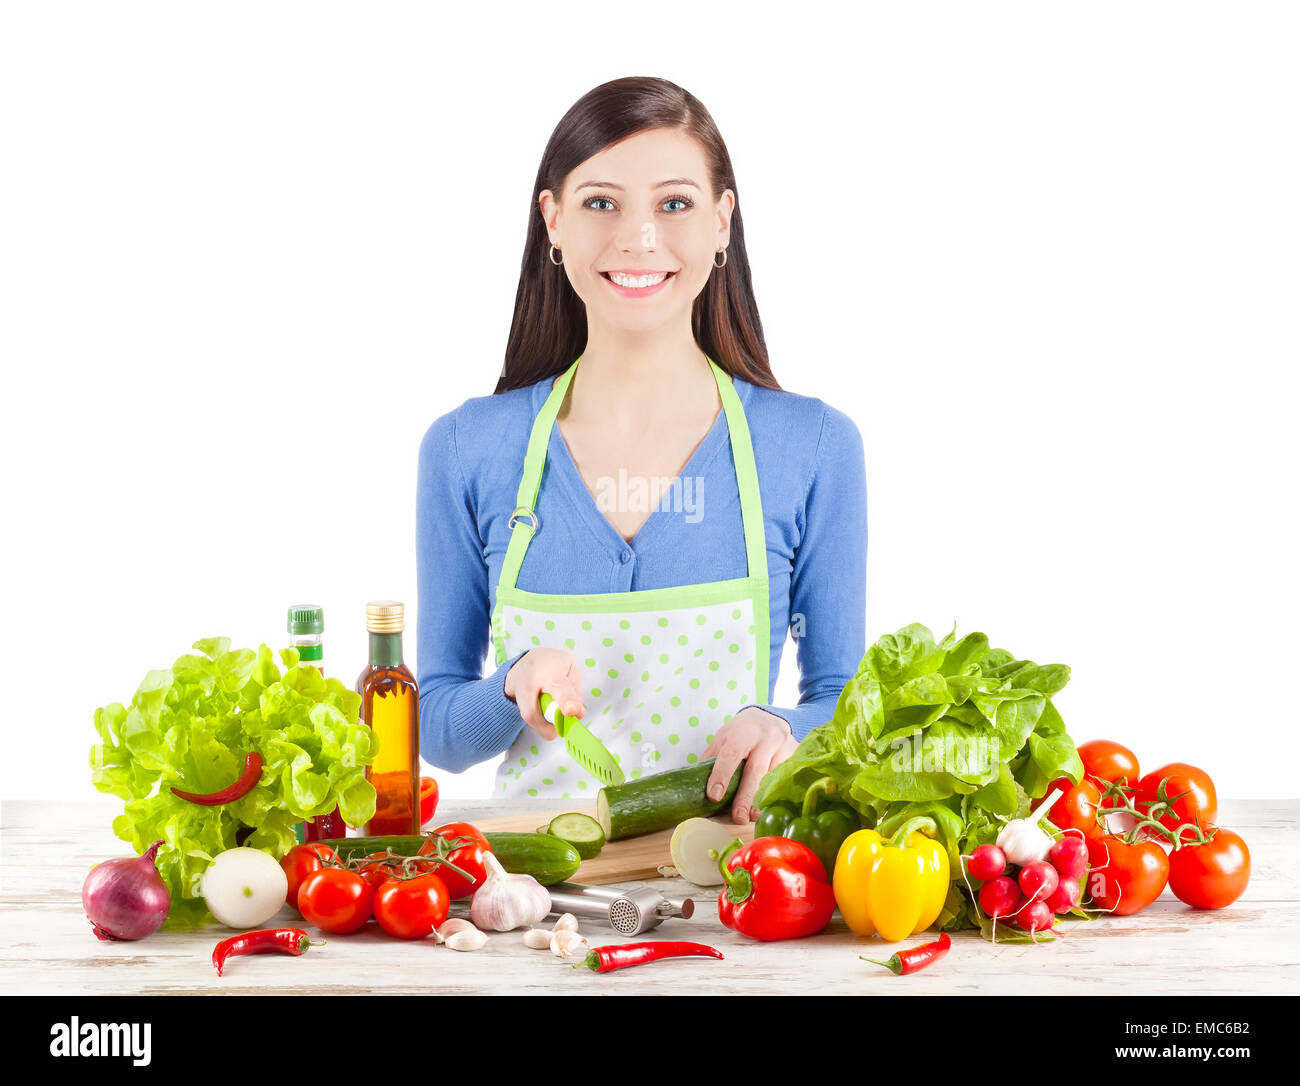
525 520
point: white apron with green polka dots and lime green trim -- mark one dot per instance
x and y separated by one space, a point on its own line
662 669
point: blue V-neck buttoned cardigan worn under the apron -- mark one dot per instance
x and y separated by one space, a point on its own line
813 483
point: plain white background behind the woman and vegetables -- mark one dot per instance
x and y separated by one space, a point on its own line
1046 256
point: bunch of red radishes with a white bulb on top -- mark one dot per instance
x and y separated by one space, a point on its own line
1028 877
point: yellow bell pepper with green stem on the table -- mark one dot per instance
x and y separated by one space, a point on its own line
892 889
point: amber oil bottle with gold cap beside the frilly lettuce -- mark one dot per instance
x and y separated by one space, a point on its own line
391 707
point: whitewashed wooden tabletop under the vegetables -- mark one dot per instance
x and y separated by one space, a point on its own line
46 945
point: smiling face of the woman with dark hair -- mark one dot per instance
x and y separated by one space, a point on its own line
638 230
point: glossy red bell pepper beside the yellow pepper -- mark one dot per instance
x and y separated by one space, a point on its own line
777 889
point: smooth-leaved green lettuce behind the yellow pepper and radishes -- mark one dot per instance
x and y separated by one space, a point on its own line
954 729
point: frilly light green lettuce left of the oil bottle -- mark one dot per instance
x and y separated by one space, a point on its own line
193 725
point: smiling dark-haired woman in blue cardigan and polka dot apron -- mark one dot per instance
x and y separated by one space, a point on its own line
640 513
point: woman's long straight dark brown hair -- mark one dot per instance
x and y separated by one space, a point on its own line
549 330
